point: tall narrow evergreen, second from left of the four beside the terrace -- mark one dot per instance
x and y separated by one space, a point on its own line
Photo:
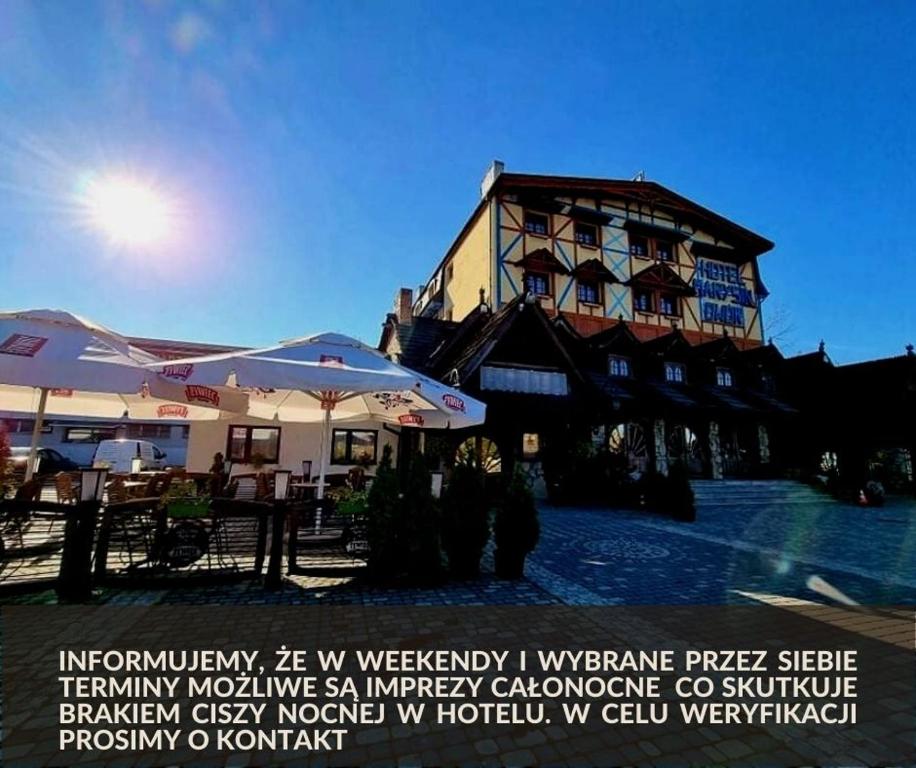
421 519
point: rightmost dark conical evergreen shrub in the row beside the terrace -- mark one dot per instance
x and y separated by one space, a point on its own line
516 530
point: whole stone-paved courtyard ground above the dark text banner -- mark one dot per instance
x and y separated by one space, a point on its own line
751 542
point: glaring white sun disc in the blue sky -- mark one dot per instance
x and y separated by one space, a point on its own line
128 211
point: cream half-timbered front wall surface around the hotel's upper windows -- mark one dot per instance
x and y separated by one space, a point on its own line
514 243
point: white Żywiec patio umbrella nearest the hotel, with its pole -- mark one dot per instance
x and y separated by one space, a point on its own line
330 377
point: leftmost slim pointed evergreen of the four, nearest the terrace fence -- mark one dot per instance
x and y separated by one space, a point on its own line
385 523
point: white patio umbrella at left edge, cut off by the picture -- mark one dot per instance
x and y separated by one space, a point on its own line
57 362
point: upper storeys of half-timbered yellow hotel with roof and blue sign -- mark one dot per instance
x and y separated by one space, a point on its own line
598 251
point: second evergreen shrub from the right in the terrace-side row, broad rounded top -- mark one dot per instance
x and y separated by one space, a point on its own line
465 519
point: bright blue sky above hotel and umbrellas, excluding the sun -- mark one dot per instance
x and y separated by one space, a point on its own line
320 155
